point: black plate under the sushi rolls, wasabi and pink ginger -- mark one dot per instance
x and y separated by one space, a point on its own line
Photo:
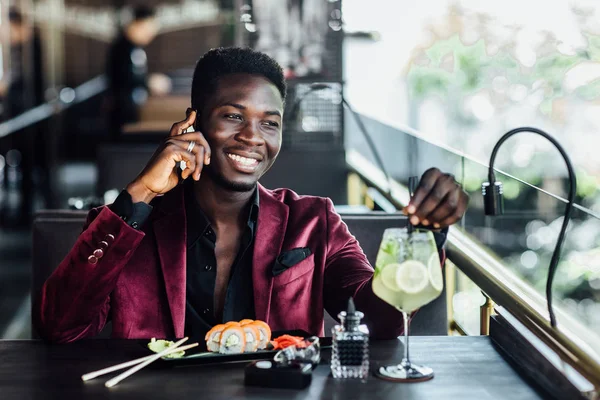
198 356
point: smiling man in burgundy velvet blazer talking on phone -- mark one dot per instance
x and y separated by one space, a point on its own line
172 259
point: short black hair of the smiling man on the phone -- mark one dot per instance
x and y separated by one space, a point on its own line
232 60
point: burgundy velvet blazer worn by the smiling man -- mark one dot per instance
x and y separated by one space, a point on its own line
139 282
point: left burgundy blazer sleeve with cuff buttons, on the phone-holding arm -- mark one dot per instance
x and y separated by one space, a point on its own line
74 302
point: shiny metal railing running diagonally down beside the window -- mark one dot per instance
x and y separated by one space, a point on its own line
572 341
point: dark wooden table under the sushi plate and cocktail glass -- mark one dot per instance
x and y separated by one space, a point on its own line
465 368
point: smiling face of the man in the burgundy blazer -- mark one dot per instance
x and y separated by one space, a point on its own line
242 123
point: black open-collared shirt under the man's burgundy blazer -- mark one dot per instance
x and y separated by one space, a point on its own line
202 270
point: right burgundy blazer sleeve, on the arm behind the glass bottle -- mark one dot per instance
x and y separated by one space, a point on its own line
349 274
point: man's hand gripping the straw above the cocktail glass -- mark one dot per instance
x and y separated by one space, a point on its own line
438 202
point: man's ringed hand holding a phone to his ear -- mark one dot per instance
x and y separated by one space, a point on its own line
161 173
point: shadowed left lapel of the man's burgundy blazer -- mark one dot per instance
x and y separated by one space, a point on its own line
170 232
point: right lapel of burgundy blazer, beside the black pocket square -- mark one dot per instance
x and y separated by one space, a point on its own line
272 222
